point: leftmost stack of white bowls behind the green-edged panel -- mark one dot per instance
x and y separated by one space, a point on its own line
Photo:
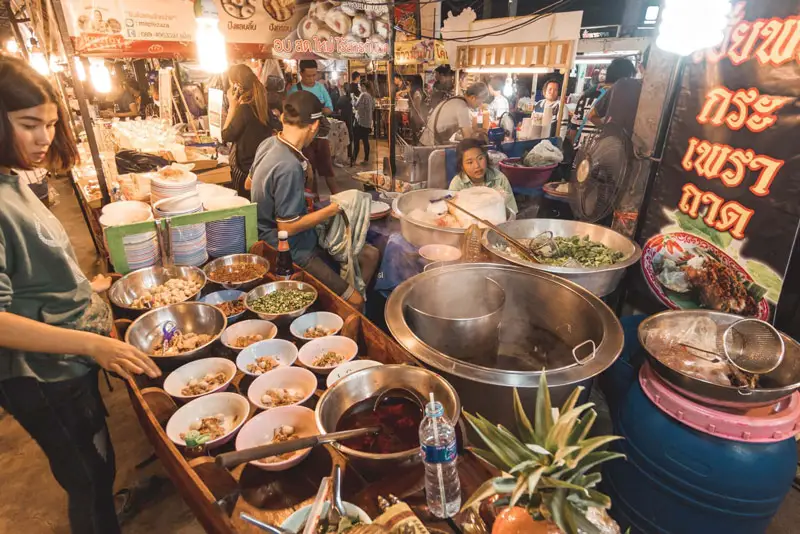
141 250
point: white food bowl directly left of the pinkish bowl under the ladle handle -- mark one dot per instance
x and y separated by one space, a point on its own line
233 406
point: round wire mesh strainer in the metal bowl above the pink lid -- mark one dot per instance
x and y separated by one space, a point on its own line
753 346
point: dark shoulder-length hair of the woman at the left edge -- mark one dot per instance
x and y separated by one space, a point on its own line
21 87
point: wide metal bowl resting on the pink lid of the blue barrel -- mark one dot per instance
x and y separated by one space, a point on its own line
774 386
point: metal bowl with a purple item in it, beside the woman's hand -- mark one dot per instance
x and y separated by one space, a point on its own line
190 317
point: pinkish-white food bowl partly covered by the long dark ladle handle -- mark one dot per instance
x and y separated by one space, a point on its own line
260 429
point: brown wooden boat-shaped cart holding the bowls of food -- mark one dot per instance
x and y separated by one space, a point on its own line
217 496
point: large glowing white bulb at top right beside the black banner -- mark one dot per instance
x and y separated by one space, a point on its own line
688 26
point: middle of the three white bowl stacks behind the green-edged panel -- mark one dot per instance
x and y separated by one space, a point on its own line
188 242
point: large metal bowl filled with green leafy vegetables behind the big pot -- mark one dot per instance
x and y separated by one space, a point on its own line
601 280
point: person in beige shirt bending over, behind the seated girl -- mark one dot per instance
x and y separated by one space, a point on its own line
453 115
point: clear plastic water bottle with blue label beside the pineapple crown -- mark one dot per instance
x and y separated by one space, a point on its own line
437 439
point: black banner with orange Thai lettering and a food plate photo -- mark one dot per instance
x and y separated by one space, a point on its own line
722 220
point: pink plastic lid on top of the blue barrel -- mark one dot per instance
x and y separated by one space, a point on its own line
762 428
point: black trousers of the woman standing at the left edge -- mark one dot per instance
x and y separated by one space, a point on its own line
67 420
